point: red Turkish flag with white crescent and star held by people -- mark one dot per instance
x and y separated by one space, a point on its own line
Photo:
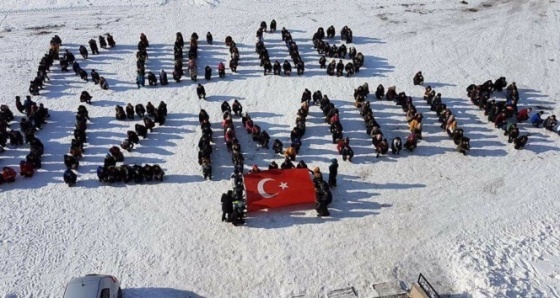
276 188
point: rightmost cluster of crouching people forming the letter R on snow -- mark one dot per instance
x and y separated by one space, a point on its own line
504 114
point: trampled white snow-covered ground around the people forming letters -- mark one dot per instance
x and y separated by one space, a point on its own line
481 225
